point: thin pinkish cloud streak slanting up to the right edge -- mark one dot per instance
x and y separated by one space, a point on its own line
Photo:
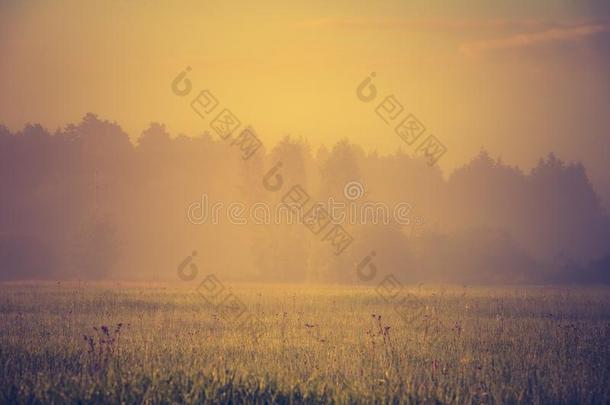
522 40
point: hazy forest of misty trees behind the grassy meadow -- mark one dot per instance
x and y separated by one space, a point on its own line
88 202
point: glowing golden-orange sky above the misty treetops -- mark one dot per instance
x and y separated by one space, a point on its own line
520 79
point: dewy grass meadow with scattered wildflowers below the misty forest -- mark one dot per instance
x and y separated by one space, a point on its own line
156 344
